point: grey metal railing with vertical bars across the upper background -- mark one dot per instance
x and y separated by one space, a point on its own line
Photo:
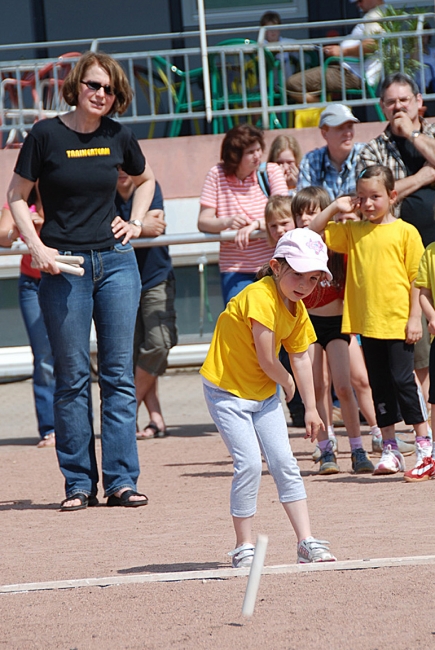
248 77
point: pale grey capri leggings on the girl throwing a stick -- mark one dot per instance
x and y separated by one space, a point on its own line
250 428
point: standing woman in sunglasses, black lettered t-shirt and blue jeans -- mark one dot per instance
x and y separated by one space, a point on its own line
76 157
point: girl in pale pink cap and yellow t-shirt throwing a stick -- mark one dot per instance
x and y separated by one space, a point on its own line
240 375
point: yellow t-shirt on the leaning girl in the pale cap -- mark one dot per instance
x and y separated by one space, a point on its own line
232 362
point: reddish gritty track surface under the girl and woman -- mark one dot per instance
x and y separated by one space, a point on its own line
186 526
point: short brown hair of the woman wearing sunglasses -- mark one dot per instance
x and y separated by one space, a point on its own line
118 79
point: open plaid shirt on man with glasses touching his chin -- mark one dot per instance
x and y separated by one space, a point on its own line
383 151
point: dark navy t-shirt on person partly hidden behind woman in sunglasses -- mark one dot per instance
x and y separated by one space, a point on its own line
154 263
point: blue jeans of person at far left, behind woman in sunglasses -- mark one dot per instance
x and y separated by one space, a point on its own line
43 377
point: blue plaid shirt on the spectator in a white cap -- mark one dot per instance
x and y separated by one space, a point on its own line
317 169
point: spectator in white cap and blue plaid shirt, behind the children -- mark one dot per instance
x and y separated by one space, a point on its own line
333 166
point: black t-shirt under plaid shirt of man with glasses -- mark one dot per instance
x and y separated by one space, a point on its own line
417 208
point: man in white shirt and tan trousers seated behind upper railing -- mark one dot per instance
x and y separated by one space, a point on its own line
351 47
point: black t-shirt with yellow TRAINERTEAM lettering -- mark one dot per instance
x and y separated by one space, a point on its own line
77 175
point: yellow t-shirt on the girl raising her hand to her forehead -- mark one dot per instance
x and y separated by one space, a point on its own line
382 263
